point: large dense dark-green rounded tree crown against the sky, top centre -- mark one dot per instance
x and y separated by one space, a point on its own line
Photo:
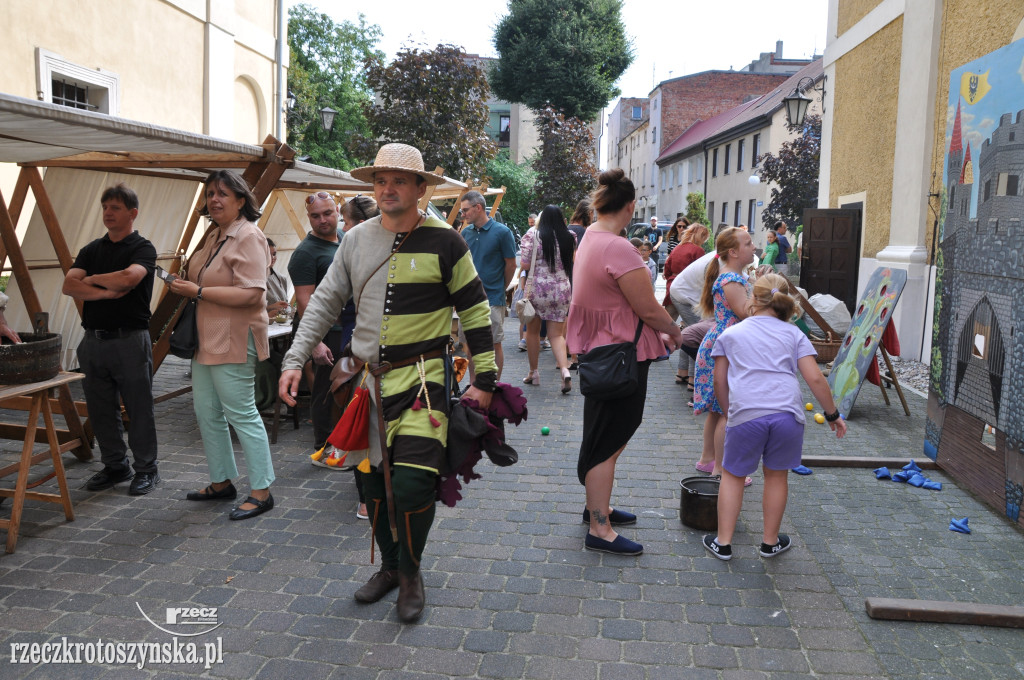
568 55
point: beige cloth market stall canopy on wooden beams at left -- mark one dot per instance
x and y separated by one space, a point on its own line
84 152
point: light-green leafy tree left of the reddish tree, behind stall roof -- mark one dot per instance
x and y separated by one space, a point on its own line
327 70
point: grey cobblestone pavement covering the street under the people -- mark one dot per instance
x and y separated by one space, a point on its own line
511 592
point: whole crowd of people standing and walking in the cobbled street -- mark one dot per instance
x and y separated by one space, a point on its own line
376 300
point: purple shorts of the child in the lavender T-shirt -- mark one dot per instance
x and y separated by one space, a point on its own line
778 439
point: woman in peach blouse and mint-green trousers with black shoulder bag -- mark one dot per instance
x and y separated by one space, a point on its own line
228 277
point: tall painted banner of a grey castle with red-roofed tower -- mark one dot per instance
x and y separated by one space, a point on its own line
975 429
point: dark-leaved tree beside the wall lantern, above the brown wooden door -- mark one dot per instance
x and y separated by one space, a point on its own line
794 174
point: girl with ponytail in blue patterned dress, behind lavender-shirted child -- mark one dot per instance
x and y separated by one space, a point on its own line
726 295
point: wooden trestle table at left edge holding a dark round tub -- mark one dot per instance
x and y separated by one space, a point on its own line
38 396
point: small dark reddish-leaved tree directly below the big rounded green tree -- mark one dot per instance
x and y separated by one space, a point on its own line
566 171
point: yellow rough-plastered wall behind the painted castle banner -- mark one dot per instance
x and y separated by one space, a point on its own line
971 30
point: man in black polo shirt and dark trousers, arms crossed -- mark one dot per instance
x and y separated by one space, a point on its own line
113 277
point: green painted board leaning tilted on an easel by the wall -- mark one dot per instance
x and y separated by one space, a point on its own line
862 343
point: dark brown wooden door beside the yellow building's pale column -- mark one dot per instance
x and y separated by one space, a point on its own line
831 254
